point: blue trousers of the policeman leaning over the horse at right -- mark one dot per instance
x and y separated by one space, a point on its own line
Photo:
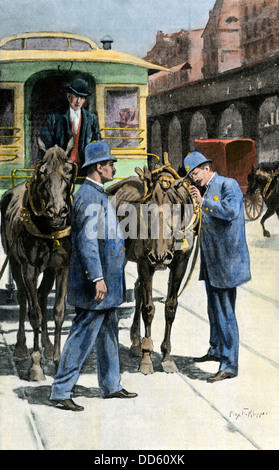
224 337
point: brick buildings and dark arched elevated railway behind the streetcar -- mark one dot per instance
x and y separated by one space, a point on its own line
223 81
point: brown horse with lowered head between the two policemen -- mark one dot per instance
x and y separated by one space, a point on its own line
161 190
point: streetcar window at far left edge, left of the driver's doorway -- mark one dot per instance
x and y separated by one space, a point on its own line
6 116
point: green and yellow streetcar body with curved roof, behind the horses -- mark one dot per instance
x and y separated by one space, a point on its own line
35 69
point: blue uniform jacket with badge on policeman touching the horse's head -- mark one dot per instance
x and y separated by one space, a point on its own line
224 253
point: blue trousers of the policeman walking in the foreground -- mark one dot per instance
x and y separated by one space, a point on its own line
90 328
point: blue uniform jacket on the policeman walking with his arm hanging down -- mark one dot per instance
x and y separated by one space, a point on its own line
95 254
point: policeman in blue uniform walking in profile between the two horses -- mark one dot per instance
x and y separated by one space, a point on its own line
96 284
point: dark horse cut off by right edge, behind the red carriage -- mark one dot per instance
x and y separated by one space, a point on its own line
266 178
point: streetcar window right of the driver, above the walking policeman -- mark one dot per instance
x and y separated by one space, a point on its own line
122 119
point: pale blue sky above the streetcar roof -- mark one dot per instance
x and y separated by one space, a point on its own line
132 24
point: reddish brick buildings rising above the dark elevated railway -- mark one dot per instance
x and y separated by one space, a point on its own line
238 33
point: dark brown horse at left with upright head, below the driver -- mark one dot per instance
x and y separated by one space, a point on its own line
35 229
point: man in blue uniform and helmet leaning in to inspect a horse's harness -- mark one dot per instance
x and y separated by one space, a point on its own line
225 262
